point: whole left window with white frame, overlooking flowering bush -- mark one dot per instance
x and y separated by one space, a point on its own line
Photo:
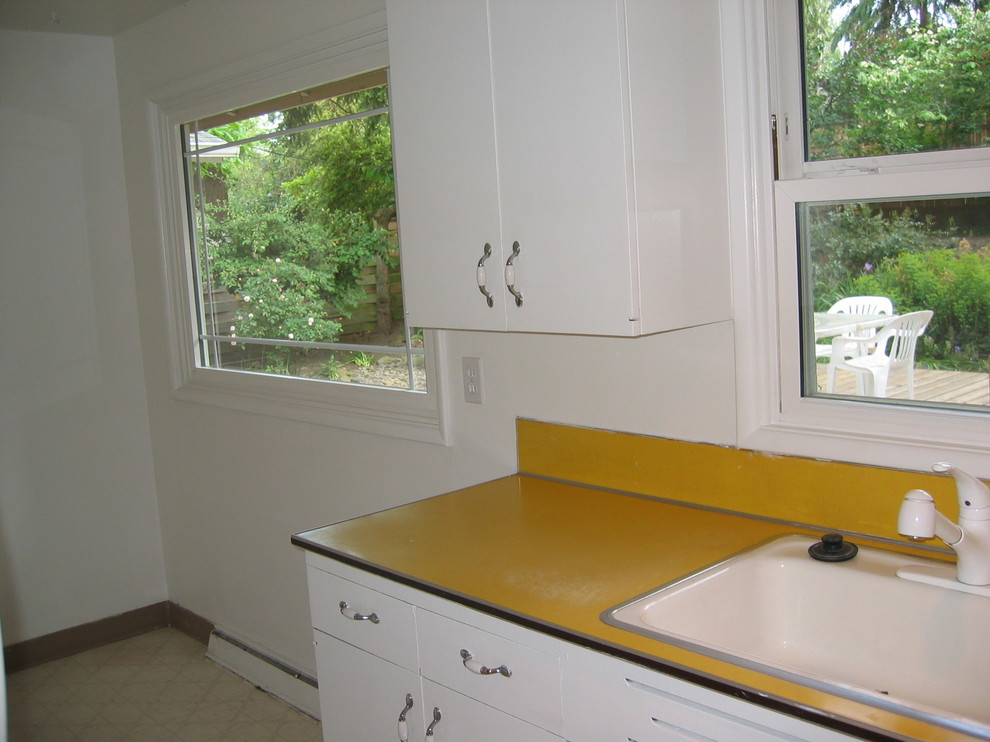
282 253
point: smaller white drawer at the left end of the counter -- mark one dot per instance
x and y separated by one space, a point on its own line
391 634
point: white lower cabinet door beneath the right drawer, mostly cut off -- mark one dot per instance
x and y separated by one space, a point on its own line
462 719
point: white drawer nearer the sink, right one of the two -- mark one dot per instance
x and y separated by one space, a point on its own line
528 688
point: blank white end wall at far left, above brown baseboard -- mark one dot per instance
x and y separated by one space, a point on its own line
79 532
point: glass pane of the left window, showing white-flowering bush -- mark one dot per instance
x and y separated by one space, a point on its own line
296 249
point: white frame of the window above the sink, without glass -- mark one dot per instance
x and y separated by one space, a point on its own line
771 413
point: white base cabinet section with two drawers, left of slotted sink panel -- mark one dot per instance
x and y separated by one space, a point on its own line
385 651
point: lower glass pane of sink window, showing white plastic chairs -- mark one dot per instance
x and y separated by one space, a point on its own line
866 267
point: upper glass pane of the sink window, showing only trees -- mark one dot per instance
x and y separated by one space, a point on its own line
888 77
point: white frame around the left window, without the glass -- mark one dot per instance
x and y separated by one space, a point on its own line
399 413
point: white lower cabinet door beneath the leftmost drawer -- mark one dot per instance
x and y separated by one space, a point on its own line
363 696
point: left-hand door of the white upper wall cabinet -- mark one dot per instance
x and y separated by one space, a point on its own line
446 180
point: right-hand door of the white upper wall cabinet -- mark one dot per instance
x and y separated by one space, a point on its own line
564 149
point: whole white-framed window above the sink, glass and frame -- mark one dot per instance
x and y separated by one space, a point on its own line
869 166
